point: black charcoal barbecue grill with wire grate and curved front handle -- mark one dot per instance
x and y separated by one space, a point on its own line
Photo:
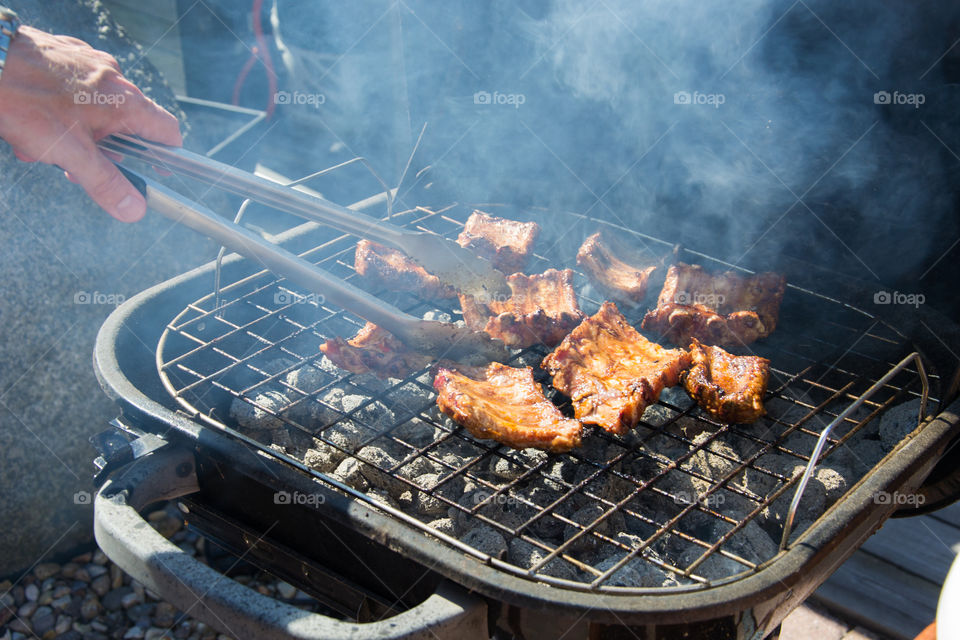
404 525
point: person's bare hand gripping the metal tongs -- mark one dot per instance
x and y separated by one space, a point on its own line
58 96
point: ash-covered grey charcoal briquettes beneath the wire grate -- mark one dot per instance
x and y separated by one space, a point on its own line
678 500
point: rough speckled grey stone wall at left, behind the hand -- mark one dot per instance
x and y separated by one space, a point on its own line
63 262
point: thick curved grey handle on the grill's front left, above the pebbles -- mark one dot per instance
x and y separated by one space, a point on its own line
199 591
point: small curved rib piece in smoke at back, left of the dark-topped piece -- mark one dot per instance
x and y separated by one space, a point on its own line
617 278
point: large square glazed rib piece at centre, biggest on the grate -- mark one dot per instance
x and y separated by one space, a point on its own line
611 372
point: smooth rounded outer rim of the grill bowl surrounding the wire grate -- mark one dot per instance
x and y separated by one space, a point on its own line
767 584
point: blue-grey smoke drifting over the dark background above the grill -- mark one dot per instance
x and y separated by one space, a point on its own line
821 130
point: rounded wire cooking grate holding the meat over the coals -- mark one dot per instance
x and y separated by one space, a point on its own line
680 502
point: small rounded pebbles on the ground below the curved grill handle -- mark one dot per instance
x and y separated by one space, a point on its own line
90 598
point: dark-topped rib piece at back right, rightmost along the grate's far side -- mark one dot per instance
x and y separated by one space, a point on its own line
721 309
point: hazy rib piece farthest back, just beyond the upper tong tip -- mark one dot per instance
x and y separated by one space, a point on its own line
506 243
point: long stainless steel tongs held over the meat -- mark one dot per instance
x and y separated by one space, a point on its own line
447 260
